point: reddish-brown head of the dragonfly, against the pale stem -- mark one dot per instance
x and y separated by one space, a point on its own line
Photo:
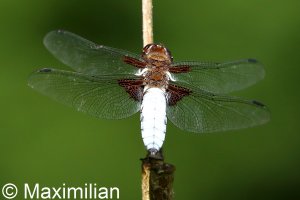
154 53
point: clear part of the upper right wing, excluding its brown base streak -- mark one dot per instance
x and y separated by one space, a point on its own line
220 78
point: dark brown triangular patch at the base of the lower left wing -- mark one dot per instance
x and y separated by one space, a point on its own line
133 87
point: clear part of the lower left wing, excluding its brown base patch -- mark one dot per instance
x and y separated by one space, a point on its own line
98 96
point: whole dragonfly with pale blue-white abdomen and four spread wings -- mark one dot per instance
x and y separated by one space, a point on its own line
111 83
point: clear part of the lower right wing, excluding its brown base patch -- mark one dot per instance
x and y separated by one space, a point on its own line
205 112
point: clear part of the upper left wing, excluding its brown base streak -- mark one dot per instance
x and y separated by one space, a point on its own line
87 57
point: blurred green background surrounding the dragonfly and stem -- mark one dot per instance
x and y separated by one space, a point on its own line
42 141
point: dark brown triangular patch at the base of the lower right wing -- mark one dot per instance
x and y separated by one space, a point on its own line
176 93
